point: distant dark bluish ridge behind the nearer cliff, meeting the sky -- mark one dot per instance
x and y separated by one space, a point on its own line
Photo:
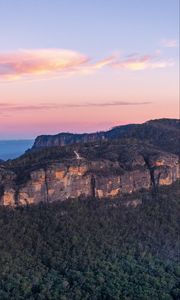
160 132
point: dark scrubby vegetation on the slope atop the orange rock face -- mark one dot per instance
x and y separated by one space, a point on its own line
120 150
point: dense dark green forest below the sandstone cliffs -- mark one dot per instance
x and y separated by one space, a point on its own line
93 249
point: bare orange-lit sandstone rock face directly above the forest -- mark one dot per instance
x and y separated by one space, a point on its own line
103 178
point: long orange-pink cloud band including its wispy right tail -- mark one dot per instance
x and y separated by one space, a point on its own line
48 62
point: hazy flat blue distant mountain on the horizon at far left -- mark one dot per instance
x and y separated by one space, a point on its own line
13 148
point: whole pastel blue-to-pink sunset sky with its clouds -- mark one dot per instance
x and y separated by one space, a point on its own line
83 66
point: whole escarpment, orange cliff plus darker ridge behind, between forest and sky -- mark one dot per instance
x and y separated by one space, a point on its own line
103 164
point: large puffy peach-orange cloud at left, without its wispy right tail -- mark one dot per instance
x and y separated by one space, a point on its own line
39 62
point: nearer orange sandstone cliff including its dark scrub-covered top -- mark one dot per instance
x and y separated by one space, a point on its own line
104 170
